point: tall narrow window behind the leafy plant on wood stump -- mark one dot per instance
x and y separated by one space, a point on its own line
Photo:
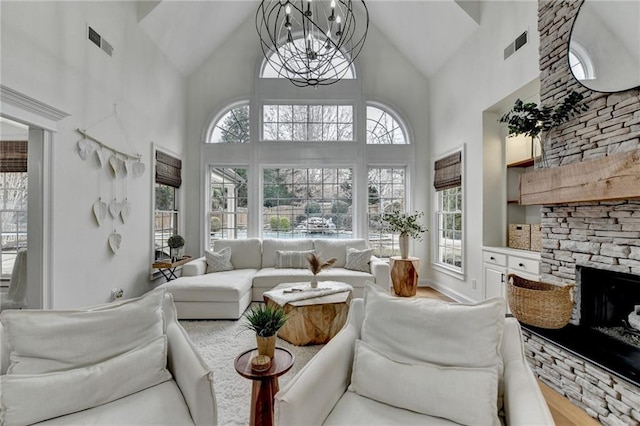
386 192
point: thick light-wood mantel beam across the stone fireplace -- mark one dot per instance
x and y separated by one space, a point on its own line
616 177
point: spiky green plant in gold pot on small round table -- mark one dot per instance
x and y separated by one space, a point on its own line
265 320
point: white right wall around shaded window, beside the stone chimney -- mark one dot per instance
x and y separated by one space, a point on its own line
472 81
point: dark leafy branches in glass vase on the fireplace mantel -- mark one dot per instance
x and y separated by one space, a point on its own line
532 120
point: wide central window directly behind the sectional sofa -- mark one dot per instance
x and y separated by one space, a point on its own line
307 202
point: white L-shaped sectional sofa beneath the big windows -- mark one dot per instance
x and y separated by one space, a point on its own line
226 295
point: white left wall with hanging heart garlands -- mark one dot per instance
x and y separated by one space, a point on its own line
46 55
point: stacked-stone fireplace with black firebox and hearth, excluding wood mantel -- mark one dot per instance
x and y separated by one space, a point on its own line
595 245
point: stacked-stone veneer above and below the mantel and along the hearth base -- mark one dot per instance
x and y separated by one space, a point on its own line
604 235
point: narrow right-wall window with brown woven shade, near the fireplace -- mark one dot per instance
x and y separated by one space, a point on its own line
449 250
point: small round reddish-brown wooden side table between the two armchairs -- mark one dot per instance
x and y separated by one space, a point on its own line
265 383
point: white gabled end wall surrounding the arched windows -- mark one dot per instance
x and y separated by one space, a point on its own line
230 74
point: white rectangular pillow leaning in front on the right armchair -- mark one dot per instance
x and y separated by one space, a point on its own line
460 394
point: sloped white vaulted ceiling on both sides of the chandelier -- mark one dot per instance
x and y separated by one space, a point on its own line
427 32
